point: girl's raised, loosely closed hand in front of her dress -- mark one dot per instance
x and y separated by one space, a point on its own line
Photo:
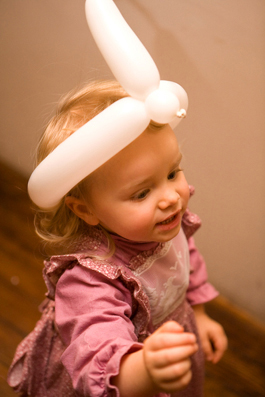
167 357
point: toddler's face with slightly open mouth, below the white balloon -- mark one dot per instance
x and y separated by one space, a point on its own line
141 193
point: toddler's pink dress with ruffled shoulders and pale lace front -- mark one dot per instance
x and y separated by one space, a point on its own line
99 310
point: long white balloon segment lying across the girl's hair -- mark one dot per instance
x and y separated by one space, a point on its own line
86 150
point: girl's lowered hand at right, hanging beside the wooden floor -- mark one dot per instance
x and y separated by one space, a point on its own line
212 335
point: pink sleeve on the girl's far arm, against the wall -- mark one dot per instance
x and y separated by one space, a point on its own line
199 290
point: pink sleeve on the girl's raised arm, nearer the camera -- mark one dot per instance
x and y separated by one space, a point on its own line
93 315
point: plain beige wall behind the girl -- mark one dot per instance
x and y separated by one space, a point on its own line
215 50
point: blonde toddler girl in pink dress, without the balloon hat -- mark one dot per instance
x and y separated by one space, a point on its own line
124 311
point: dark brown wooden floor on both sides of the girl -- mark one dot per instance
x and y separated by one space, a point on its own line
240 373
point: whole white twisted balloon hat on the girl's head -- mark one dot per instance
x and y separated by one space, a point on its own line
122 122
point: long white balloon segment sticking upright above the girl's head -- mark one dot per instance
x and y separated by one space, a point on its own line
126 56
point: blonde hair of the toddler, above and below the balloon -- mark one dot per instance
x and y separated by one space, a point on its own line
59 226
